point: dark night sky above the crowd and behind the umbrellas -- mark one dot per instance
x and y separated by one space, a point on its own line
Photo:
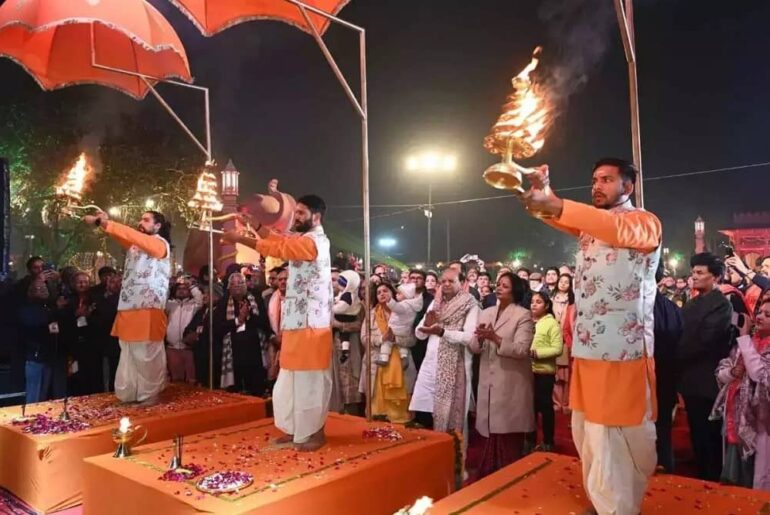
439 70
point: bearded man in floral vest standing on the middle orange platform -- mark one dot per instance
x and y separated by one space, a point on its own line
303 388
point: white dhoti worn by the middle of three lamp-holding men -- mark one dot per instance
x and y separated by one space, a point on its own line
301 402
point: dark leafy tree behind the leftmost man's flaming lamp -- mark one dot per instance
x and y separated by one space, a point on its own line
132 161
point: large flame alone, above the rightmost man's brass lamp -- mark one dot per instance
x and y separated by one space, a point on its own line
525 118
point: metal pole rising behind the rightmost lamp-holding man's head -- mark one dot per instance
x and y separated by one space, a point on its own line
624 9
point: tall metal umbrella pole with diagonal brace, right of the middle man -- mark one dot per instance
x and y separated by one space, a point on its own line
363 113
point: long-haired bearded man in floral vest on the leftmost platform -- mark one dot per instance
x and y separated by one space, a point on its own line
140 325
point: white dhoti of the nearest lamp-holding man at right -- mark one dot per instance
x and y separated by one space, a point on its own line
617 462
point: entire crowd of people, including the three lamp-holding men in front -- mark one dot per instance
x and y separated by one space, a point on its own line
615 340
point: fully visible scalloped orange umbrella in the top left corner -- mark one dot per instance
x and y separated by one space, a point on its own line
66 42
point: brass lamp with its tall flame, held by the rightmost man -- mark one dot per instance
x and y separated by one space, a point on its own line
520 130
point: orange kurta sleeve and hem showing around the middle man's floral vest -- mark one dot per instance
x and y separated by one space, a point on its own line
301 349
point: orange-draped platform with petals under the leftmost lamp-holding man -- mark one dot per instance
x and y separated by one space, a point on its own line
46 471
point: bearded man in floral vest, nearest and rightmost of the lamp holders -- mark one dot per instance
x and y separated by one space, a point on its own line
613 388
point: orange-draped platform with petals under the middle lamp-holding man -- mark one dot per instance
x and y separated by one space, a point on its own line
351 474
